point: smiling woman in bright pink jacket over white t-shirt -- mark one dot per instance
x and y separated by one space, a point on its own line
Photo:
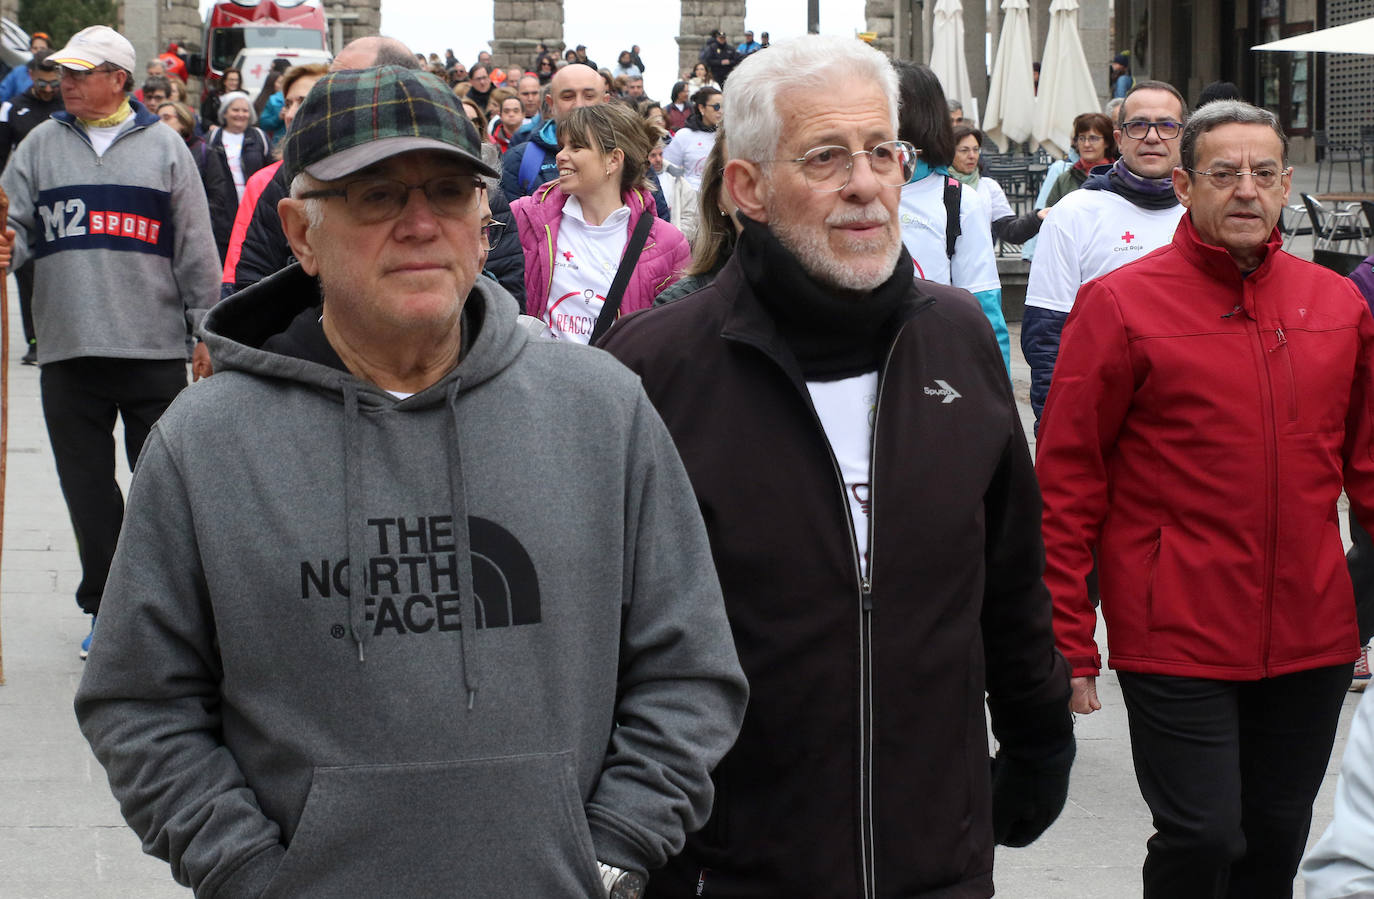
576 230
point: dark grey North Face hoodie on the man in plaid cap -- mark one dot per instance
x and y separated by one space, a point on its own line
293 692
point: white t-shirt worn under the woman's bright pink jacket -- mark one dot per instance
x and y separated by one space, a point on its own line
585 267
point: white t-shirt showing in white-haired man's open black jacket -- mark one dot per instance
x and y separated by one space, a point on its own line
847 410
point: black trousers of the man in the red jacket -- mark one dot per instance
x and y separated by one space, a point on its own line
1230 770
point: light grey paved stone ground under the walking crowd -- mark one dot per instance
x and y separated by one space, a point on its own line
61 832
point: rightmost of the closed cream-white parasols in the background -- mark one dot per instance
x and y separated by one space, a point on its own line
1066 82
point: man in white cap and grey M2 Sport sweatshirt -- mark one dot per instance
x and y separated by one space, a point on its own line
109 207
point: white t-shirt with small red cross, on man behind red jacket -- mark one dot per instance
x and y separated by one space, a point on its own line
1090 234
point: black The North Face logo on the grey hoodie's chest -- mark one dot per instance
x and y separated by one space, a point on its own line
412 578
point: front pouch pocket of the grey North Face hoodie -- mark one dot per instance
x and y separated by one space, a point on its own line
482 828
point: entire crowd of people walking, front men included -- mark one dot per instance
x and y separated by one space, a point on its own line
414 563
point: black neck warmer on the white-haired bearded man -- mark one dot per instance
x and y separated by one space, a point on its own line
833 335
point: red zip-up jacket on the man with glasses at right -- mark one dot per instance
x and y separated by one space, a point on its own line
1199 432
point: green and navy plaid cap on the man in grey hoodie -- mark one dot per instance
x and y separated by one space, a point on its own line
354 119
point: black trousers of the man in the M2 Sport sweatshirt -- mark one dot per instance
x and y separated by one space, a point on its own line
80 402
